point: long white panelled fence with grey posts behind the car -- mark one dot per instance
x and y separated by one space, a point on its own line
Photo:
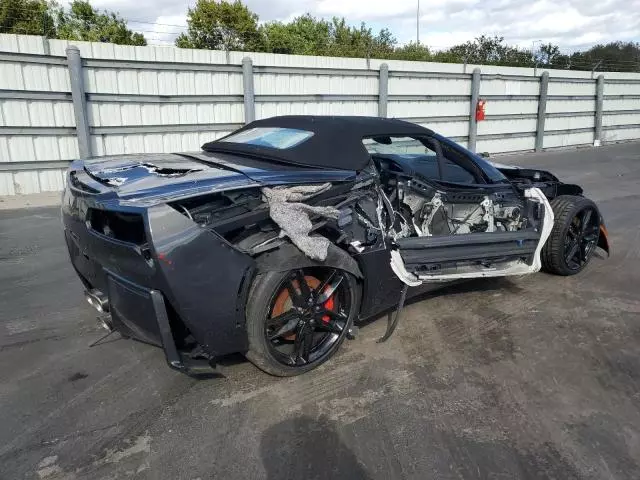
164 99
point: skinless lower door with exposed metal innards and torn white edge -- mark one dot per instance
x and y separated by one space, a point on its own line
442 234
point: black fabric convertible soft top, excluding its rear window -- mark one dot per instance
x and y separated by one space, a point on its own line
336 141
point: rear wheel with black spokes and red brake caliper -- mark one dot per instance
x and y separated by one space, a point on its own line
296 320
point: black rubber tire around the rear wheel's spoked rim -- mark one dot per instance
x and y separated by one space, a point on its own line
267 289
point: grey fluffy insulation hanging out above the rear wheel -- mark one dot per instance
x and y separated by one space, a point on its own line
288 211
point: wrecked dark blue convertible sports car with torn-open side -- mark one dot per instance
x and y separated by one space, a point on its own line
277 239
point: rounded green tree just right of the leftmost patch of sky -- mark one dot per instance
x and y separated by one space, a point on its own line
221 26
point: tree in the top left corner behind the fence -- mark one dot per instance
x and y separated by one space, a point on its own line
27 17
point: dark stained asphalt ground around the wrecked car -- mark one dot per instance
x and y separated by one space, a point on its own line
537 377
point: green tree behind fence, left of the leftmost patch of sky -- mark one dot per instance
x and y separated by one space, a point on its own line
83 22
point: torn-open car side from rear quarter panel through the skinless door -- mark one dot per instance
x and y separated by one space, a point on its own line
431 234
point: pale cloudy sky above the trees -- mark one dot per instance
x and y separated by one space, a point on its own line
571 24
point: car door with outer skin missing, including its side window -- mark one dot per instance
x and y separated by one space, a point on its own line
449 176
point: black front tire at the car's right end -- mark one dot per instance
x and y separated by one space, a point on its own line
568 211
